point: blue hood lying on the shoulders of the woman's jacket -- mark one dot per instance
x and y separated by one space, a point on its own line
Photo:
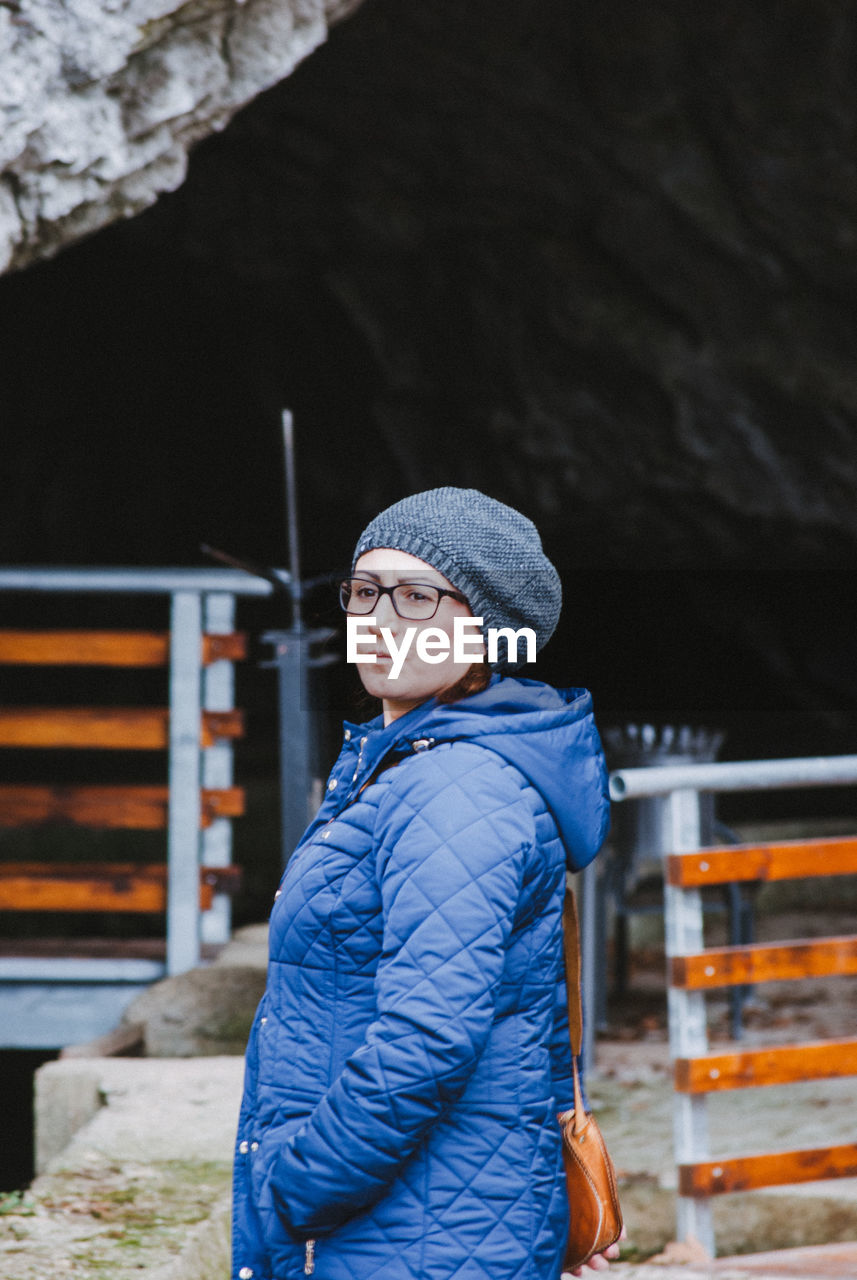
548 734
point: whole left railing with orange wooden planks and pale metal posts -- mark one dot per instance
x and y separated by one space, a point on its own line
194 729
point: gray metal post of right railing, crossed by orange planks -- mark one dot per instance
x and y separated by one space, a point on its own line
688 1022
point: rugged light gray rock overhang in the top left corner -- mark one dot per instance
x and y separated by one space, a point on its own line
100 100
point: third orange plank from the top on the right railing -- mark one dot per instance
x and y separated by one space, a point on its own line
815 1060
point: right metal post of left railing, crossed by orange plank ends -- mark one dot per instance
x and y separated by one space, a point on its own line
218 696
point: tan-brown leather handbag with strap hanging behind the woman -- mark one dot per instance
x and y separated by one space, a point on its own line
595 1217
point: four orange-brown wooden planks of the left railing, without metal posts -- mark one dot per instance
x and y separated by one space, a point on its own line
57 886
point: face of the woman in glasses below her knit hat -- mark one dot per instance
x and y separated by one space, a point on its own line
418 680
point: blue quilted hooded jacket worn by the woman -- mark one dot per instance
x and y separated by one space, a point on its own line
411 1053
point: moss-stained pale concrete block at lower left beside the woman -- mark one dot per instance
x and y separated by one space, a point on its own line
144 1185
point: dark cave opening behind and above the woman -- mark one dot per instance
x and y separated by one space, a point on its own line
595 260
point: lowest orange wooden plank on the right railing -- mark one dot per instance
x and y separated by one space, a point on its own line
776 1169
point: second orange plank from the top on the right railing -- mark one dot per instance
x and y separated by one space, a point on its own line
777 962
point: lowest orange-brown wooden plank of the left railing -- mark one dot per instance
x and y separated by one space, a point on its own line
100 886
